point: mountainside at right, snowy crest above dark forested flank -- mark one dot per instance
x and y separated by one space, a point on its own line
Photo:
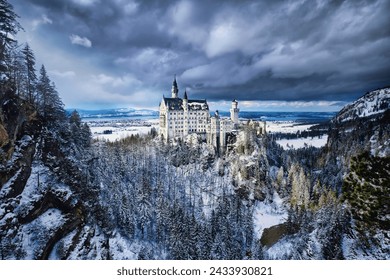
361 126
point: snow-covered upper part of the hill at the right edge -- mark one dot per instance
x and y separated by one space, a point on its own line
372 103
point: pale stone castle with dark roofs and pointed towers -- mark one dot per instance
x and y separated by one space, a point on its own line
182 117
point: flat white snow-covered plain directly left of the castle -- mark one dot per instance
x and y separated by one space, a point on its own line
120 128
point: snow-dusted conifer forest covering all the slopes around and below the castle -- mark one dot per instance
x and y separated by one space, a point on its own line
65 196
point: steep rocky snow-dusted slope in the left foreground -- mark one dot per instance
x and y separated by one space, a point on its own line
38 203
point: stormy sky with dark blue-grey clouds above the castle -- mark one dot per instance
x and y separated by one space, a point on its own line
270 55
